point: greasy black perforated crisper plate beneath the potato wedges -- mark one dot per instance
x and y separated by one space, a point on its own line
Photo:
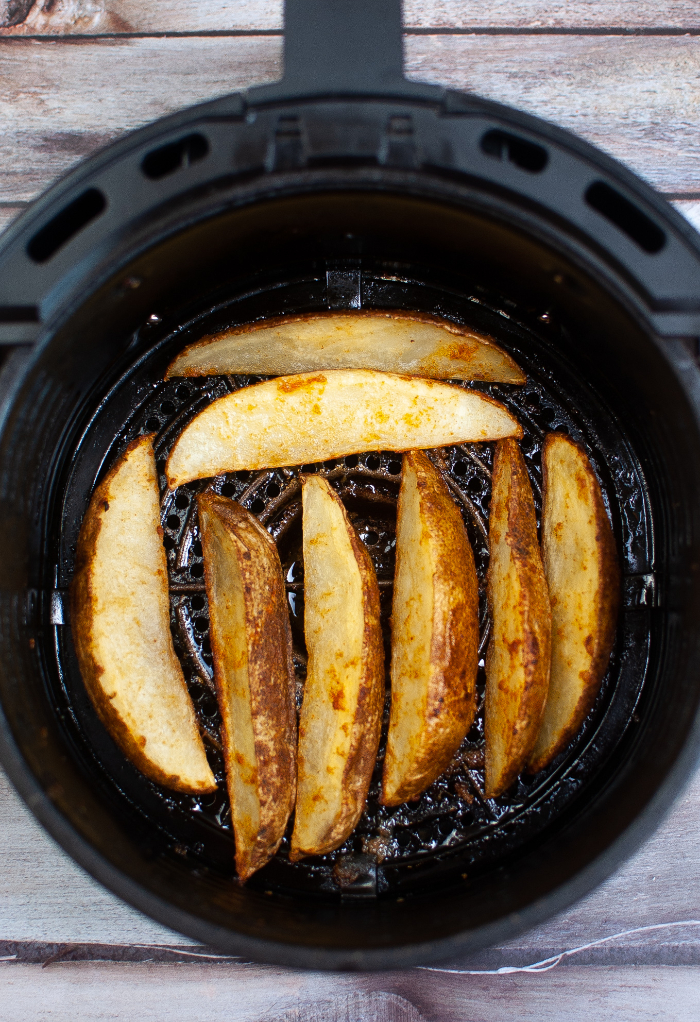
401 849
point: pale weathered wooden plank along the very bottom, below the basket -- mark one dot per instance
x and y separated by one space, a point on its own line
67 993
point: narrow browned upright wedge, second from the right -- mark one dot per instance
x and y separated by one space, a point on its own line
520 652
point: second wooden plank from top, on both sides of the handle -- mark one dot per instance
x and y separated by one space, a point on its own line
62 101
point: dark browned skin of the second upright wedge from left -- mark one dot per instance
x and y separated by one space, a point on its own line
270 675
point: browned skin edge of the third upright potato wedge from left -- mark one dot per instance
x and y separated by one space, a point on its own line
366 729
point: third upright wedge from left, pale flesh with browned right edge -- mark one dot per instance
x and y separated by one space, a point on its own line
345 692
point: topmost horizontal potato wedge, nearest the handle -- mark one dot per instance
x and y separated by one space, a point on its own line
412 344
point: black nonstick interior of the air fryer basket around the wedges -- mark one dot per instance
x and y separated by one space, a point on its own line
454 874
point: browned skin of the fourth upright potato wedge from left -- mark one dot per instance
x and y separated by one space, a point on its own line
451 682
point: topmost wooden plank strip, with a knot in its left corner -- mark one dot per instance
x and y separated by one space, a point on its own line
94 17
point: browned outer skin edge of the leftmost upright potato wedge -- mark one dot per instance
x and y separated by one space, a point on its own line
81 599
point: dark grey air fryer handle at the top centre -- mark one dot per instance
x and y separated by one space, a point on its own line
343 48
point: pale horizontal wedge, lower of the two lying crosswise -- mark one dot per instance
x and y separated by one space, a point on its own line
294 421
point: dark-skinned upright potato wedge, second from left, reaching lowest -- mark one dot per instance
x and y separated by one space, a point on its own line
255 678
